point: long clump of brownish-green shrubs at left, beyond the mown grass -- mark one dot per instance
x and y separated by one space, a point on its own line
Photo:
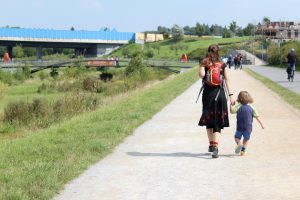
40 114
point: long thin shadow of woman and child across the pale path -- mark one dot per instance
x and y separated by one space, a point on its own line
180 154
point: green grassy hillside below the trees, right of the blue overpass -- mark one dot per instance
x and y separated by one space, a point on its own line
191 44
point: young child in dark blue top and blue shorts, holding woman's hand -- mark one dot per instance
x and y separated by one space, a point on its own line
245 113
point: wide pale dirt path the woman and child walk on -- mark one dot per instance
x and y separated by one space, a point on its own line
166 157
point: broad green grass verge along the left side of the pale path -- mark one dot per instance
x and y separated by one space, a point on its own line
37 166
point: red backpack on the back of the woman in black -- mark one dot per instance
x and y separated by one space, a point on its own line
214 74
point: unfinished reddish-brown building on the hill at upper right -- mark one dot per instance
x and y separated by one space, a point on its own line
280 30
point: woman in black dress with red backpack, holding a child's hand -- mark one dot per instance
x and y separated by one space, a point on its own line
214 111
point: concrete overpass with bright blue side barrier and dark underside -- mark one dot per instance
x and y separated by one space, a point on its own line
89 43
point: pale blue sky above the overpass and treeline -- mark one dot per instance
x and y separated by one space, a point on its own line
141 15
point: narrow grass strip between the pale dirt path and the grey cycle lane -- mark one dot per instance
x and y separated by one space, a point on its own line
290 97
